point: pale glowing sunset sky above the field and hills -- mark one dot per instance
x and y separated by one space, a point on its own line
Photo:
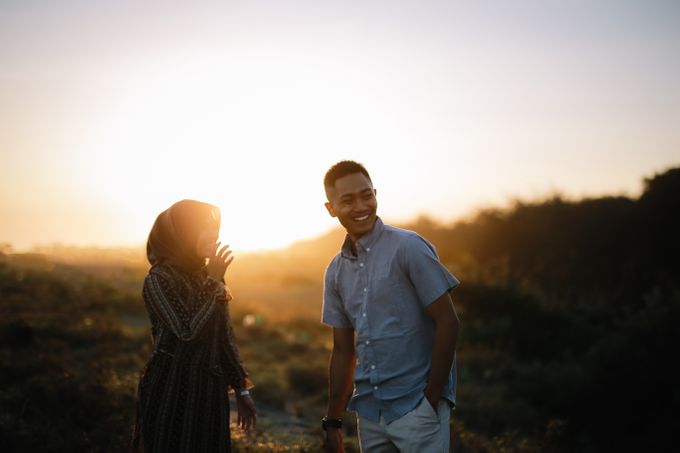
112 111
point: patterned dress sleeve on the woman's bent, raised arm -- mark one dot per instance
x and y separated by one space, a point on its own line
165 303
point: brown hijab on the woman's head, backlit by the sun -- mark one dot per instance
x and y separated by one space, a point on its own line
172 239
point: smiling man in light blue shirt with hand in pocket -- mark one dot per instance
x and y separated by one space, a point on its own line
386 296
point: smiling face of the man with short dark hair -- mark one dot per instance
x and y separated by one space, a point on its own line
352 200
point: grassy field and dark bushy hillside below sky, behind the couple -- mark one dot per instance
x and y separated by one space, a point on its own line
569 313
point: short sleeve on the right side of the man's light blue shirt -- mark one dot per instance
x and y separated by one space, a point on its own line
427 274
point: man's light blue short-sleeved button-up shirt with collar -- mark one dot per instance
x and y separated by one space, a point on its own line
382 293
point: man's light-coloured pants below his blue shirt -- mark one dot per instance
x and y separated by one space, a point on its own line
419 431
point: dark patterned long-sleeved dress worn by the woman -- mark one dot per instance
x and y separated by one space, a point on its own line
183 402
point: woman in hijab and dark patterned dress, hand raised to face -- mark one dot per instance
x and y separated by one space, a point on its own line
183 403
